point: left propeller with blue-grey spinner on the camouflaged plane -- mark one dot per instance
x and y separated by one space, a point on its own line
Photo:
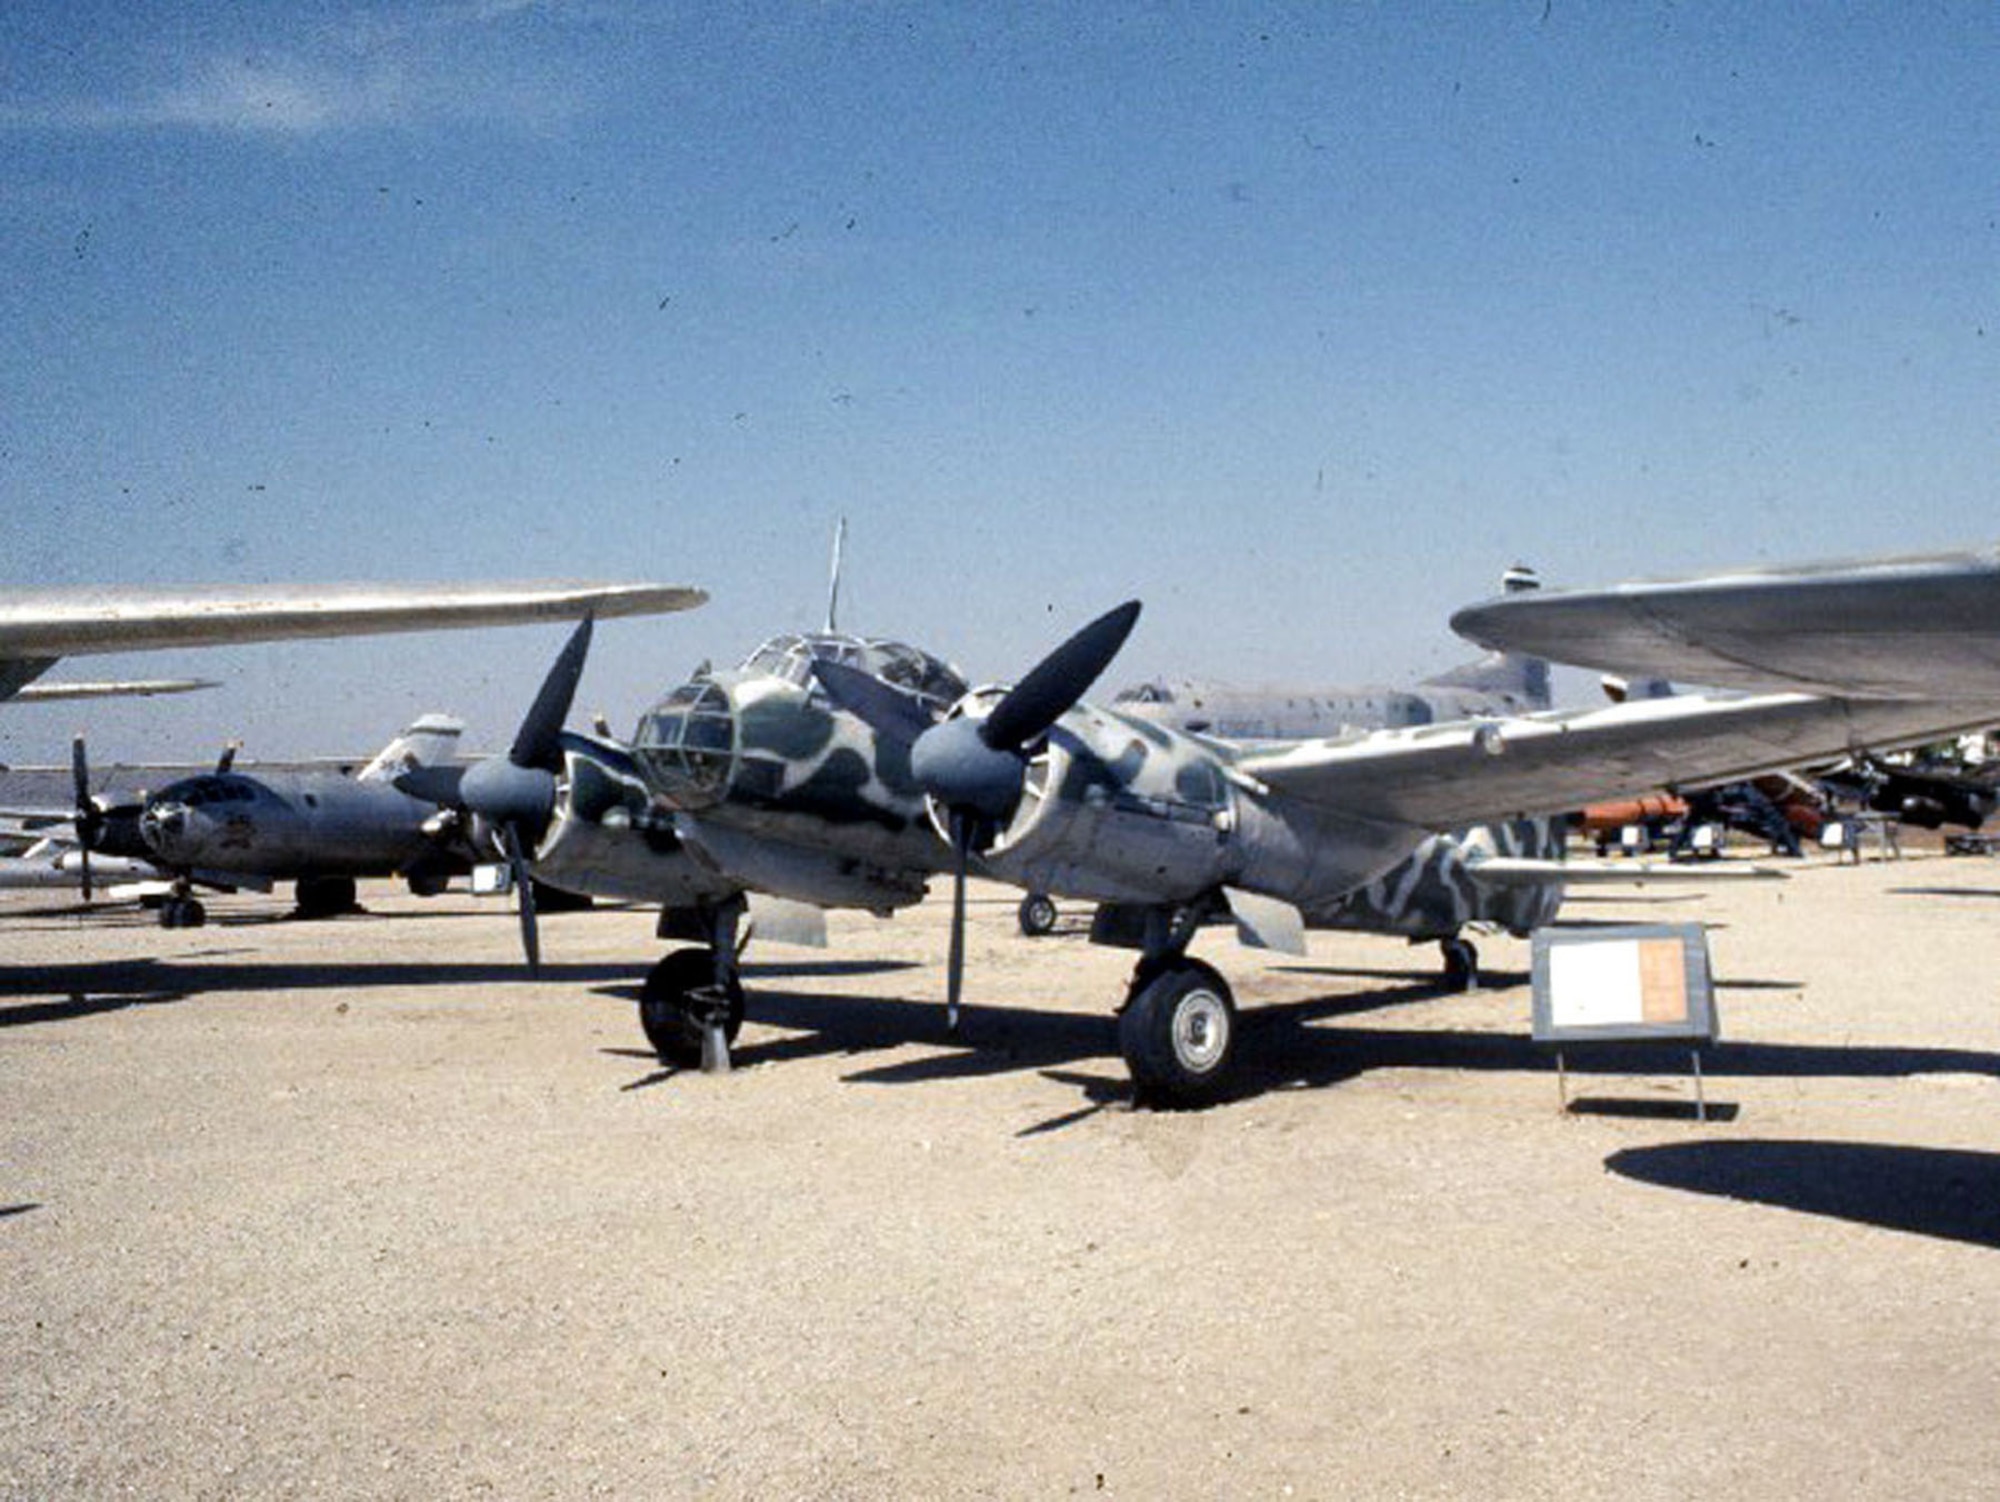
515 795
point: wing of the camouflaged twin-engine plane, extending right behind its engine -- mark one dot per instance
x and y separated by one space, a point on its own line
1475 771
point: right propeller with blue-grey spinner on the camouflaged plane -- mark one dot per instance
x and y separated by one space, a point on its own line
975 771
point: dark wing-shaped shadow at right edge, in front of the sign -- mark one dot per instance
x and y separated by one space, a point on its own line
1943 1193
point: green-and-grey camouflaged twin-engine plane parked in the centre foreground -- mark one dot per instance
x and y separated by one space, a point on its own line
835 771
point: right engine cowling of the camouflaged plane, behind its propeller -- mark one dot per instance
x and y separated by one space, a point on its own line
1111 811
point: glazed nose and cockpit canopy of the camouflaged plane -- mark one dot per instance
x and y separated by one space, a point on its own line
689 747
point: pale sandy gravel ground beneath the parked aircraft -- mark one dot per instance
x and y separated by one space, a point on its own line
355 1209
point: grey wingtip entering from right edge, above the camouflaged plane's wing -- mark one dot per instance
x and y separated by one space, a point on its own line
1923 627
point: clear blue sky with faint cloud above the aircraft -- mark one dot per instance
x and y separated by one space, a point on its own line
1299 323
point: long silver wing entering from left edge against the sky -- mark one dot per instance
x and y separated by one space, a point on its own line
37 627
